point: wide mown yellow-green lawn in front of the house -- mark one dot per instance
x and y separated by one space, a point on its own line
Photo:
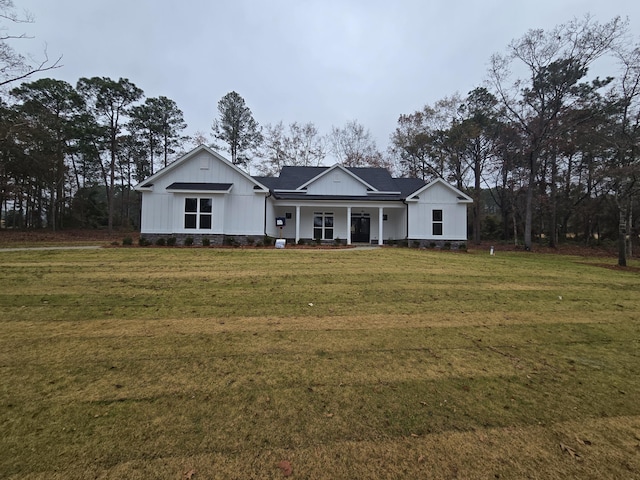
391 363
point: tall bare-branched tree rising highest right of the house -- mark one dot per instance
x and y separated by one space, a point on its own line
554 63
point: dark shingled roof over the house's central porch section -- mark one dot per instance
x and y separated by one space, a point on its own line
291 178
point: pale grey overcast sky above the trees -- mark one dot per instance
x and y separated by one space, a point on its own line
320 61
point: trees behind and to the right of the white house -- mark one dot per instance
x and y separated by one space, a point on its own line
545 149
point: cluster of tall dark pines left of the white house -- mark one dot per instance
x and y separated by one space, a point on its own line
71 155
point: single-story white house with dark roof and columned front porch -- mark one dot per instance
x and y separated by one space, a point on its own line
203 195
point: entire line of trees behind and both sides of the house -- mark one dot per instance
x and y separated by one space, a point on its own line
546 149
